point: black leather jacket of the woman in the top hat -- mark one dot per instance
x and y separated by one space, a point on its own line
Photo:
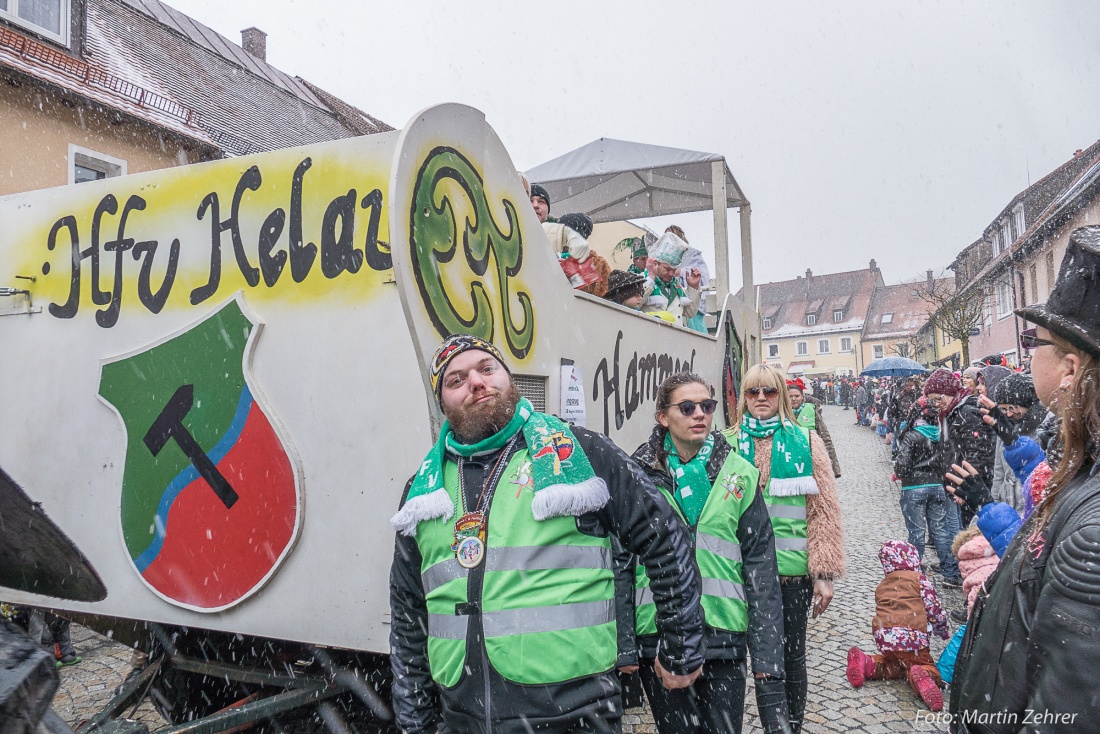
1035 638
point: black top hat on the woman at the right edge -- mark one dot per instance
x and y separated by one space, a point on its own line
1073 311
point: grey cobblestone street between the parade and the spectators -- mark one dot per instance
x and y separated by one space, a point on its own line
872 516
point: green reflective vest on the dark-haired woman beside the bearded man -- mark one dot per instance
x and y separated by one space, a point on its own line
718 552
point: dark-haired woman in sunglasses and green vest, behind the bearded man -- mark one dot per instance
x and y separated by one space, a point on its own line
714 491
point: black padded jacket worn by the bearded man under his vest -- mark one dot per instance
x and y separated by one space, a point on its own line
483 702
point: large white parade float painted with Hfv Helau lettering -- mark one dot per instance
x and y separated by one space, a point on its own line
214 385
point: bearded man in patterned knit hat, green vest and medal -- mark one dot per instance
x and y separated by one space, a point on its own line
502 587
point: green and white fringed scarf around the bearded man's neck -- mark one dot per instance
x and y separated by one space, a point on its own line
562 476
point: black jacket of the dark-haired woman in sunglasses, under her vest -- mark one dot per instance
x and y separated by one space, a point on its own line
760 569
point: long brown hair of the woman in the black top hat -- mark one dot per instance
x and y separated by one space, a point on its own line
1080 410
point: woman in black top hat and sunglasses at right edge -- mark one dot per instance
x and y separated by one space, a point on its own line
1029 658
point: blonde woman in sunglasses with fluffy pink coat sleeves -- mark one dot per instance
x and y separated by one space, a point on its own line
800 491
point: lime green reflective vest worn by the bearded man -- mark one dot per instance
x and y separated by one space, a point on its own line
547 598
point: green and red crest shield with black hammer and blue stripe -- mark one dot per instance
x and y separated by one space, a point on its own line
211 500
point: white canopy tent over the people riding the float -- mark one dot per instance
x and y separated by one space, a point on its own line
615 180
